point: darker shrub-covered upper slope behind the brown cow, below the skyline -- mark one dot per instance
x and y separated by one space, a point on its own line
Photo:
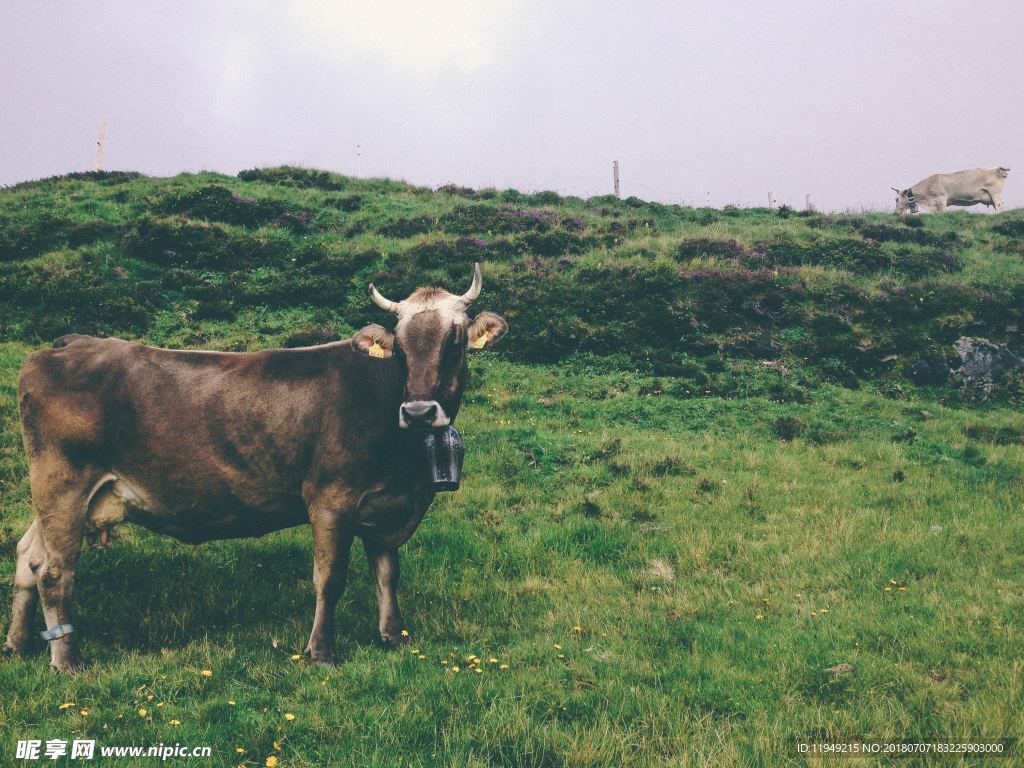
284 255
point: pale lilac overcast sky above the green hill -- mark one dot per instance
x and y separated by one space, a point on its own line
699 102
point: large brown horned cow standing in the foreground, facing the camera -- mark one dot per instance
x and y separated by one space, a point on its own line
205 446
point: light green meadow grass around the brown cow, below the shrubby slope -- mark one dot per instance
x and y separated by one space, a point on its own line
694 549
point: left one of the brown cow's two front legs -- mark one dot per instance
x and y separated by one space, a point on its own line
331 550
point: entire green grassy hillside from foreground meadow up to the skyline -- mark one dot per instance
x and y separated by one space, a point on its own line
674 547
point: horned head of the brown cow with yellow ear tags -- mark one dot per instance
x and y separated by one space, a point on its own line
432 339
